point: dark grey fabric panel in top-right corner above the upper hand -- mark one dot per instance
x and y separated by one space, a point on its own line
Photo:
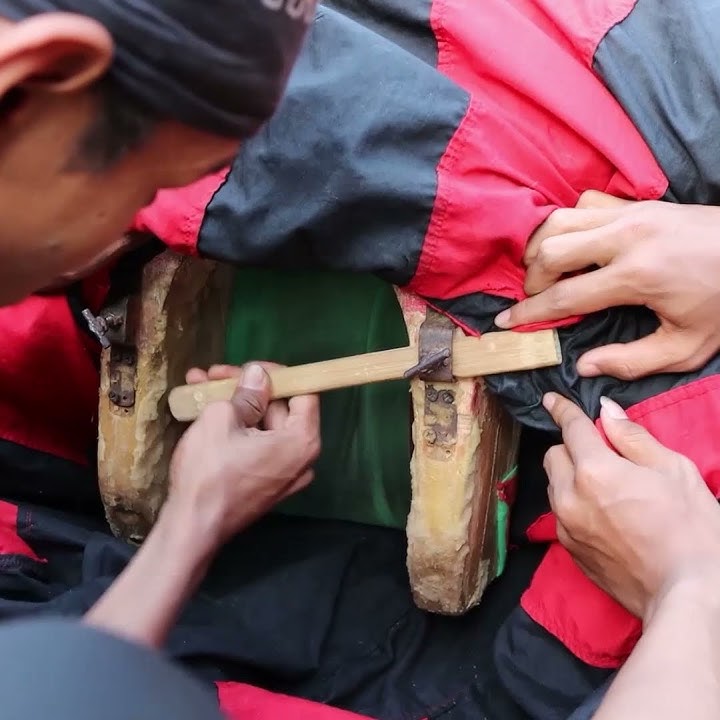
662 63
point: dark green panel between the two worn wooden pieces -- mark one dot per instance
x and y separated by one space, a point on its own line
296 317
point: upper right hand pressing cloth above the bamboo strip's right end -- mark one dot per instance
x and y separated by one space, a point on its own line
657 254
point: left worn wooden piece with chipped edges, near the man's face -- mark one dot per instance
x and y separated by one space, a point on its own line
181 323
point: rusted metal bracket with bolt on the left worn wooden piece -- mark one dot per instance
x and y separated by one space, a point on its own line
114 327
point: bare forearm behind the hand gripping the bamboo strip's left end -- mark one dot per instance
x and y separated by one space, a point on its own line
144 602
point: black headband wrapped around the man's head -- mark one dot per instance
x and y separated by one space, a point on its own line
216 65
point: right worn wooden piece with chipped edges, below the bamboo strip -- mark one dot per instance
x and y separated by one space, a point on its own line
452 534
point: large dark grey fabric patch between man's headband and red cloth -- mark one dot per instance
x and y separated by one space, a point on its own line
344 175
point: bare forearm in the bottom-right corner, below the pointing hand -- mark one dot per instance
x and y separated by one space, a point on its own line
674 670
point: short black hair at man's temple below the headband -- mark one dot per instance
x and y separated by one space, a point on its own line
120 125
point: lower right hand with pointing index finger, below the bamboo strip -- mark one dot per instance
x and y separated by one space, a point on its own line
637 517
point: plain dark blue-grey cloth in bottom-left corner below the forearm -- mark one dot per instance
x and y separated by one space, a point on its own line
64 670
